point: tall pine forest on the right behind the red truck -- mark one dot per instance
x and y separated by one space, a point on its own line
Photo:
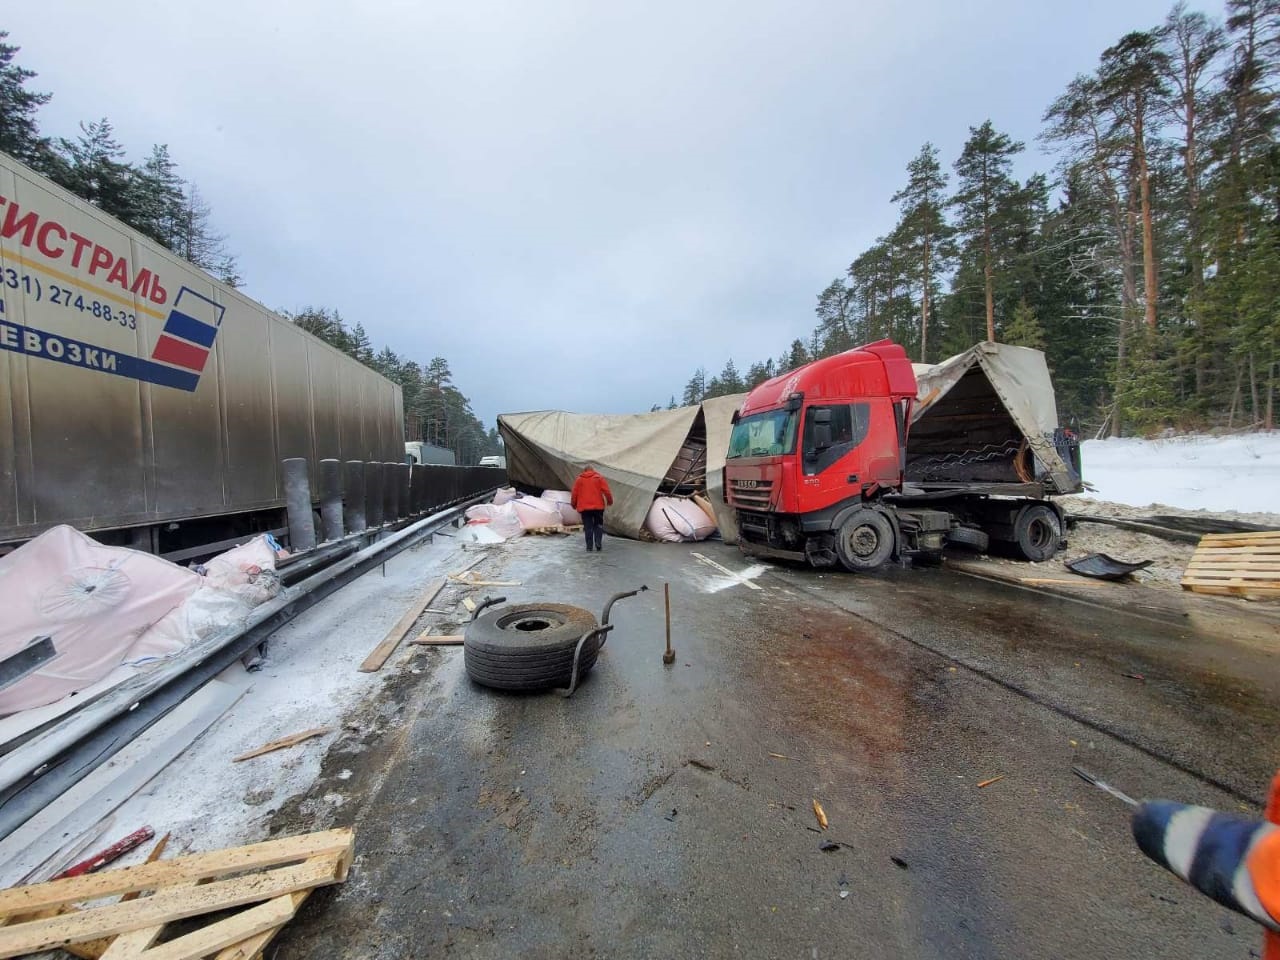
1146 264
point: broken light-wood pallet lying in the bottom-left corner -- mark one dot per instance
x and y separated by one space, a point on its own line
269 880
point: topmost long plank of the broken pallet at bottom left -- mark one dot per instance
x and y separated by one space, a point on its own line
194 867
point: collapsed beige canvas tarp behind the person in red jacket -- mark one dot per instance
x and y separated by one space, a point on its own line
633 451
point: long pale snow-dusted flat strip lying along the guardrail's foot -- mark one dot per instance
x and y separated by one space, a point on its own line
112 784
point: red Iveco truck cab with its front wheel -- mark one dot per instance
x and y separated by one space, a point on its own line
813 450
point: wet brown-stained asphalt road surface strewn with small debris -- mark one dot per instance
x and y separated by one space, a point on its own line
646 817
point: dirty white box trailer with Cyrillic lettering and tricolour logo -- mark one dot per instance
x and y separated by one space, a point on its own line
140 395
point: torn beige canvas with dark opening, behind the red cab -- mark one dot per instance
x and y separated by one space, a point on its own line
1004 385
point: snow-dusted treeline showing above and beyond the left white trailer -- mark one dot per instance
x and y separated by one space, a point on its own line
156 200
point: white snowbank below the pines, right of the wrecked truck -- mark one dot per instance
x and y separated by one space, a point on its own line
1218 474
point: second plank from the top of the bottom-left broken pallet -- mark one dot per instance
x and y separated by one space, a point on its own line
167 906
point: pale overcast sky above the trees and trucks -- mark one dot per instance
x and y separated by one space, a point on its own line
577 204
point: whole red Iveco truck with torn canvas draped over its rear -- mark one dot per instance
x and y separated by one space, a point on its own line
853 460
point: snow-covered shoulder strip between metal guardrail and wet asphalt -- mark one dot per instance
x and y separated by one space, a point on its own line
310 679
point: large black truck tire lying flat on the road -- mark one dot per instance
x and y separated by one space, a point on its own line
529 647
